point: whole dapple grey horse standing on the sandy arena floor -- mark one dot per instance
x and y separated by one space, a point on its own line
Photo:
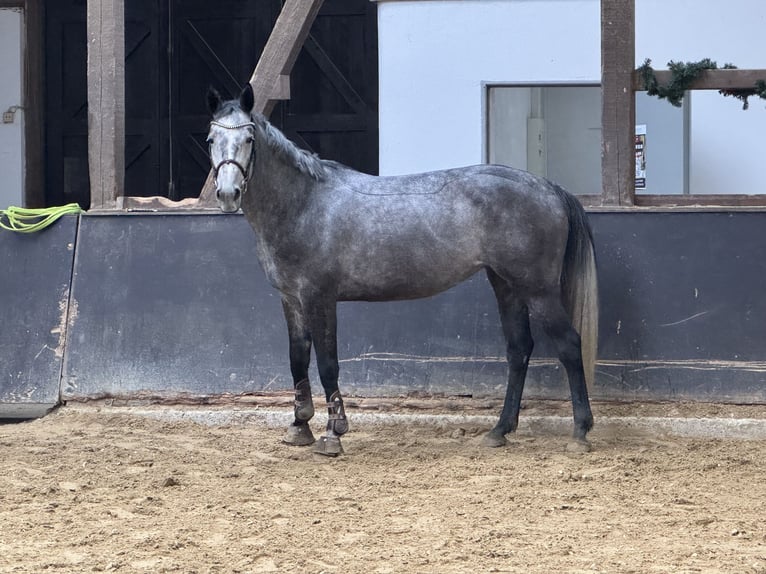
327 233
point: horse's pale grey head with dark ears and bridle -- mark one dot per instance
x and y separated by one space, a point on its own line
232 147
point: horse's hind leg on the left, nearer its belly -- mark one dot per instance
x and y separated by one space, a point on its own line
514 318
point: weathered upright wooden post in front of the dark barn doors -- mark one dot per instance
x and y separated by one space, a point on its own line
106 101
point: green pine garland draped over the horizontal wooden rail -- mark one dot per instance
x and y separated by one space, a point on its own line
683 75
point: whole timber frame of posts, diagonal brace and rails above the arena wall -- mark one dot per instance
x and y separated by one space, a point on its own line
270 81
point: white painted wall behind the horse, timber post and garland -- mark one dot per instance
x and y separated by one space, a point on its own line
436 55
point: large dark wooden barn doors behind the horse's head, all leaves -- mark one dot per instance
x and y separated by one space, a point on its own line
174 50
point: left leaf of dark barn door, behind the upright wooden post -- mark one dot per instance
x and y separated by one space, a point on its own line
67 101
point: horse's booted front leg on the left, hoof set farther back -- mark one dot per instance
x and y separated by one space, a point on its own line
299 433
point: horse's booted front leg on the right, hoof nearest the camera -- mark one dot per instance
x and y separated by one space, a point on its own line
323 323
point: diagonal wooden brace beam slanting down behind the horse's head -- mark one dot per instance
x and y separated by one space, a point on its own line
271 78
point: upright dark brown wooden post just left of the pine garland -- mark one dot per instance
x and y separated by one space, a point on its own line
618 106
